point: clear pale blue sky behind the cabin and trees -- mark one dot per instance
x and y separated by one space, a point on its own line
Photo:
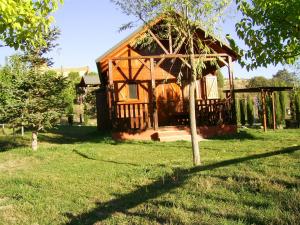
90 27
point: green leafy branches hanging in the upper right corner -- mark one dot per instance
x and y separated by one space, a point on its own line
271 31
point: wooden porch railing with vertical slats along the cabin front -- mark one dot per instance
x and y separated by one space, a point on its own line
137 116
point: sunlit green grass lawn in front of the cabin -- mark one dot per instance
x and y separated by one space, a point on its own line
79 176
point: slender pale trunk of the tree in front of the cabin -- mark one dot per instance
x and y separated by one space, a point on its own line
192 111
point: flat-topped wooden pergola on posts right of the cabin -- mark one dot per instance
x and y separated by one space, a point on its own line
264 92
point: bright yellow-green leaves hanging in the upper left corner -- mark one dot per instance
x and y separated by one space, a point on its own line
23 24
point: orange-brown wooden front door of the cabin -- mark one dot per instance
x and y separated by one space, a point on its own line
169 103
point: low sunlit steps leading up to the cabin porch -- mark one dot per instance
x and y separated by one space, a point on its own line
167 134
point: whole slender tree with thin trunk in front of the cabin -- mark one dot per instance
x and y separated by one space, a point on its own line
184 17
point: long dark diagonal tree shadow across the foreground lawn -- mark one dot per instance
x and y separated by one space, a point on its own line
159 187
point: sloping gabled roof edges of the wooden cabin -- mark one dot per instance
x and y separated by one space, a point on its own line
141 30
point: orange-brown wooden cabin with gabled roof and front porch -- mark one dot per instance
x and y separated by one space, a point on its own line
144 89
